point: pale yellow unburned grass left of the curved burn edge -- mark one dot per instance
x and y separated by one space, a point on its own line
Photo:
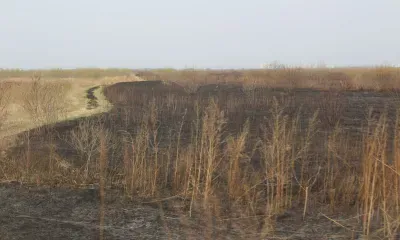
39 98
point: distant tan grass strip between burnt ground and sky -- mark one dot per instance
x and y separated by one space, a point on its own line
379 78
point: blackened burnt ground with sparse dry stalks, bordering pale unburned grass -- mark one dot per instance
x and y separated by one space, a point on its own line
161 117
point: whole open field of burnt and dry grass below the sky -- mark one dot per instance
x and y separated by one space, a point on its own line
209 154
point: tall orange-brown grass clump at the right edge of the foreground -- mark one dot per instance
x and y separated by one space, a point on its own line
380 178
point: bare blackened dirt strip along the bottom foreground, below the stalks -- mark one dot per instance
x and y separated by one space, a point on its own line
32 212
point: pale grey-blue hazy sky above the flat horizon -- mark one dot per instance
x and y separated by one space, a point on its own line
188 33
